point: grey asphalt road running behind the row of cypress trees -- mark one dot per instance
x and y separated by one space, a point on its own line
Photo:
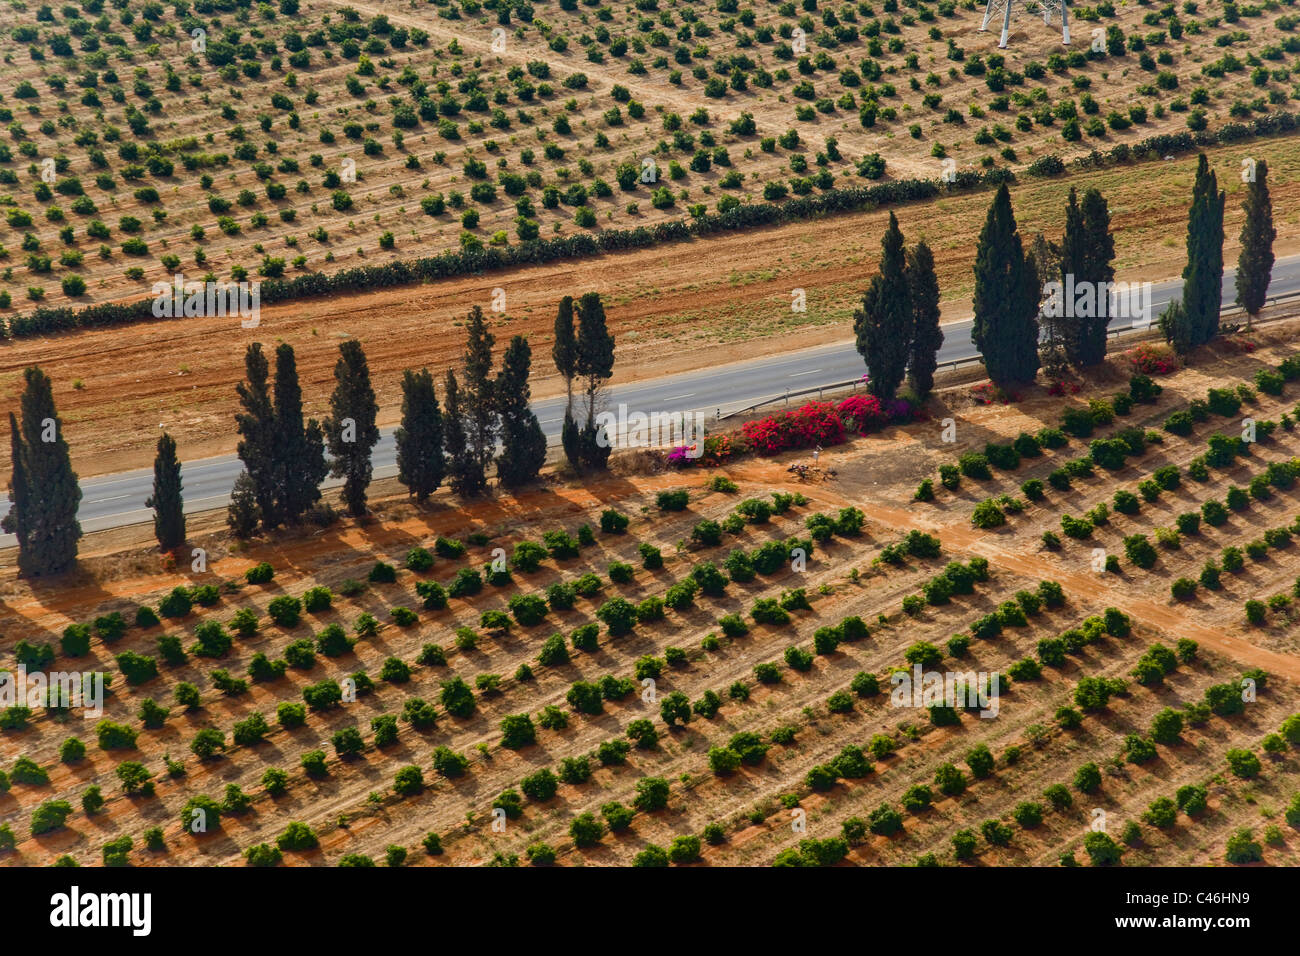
111 501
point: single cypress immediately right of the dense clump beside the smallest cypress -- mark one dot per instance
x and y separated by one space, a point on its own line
352 430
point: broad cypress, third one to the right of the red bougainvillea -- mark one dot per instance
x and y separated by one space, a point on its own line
1007 299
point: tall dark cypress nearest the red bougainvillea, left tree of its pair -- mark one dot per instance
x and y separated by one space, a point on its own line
885 323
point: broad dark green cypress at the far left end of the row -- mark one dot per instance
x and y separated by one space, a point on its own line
44 487
